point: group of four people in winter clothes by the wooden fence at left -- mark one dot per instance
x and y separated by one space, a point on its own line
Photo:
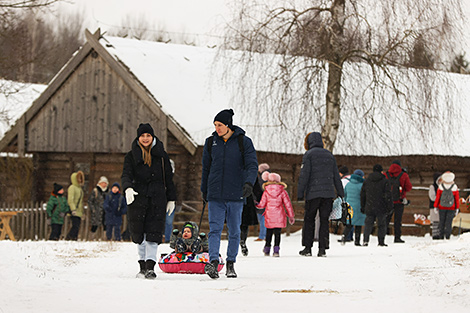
106 206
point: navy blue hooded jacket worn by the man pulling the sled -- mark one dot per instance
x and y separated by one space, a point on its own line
223 174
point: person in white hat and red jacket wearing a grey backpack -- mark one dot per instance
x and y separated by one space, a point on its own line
447 201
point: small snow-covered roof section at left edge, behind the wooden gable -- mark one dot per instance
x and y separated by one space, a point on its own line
15 99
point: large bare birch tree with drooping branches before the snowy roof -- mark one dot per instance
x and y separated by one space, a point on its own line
344 59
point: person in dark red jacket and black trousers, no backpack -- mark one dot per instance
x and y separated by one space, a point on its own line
396 172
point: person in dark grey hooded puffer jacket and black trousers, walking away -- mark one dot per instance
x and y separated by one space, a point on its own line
319 178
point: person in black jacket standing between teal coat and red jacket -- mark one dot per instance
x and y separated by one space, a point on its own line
376 201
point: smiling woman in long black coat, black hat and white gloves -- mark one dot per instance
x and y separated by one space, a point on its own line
147 180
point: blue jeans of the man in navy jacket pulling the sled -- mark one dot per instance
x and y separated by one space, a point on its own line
219 212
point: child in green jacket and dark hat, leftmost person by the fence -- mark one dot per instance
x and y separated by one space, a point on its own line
57 207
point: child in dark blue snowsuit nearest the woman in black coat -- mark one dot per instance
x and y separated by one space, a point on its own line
115 207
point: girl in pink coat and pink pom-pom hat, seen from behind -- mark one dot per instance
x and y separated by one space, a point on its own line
274 200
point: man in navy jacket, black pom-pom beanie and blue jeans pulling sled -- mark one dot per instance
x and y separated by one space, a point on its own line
229 169
